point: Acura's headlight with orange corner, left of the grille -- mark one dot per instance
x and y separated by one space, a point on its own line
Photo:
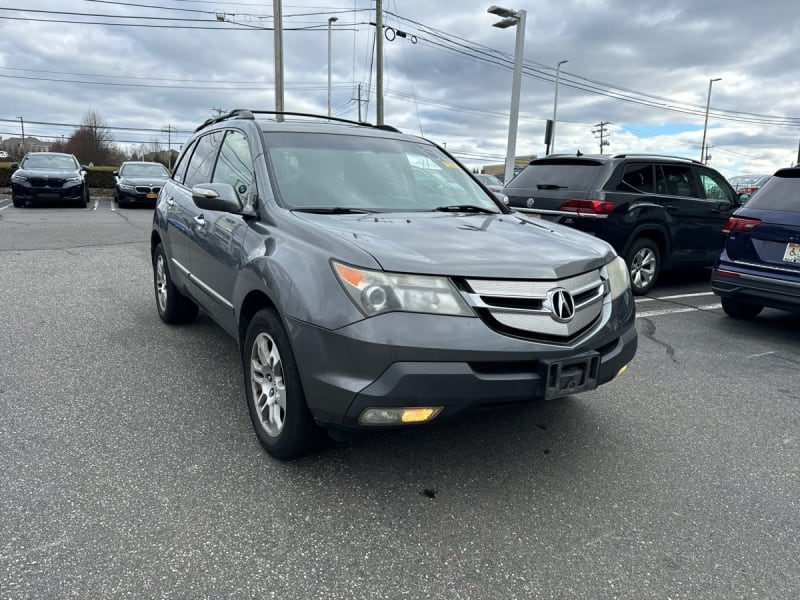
376 292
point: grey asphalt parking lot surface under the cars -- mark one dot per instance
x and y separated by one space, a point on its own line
129 467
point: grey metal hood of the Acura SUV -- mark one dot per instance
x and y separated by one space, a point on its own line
469 245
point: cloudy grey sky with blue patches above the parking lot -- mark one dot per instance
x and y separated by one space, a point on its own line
641 68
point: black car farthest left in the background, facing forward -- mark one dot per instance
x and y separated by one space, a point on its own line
49 177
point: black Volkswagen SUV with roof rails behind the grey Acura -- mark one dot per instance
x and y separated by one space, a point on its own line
657 212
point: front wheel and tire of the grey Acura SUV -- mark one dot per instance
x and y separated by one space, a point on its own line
275 398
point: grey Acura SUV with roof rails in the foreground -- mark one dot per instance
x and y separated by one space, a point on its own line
359 297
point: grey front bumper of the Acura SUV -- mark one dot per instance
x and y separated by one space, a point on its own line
458 363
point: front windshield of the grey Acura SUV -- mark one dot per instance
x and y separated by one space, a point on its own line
331 171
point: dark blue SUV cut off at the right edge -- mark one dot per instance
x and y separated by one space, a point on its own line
759 264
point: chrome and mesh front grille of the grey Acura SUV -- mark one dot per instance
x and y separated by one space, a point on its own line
521 308
